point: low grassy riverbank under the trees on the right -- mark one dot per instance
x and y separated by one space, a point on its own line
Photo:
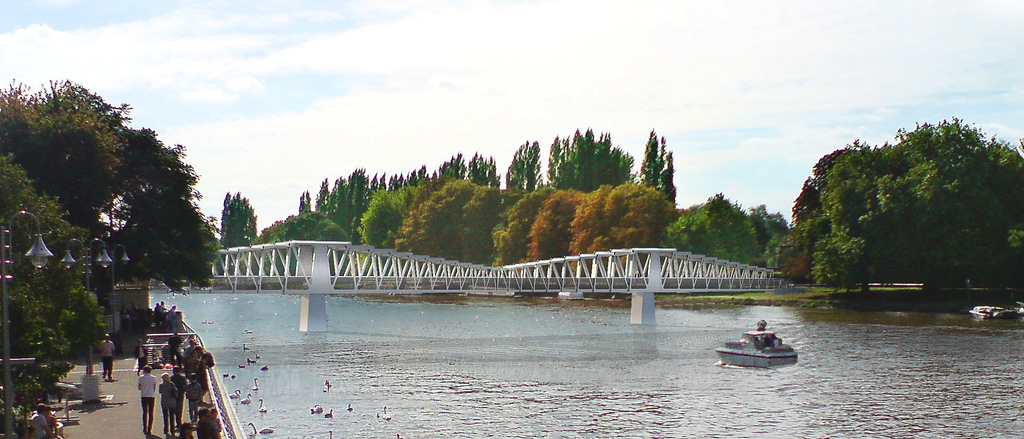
876 300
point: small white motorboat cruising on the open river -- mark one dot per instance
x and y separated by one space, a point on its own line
757 349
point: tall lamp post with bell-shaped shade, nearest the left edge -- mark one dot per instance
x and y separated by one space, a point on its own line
39 255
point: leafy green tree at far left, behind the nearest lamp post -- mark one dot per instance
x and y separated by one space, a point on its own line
52 316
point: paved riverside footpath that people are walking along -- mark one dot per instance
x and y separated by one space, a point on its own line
119 413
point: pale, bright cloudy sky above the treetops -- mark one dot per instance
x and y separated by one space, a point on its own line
272 98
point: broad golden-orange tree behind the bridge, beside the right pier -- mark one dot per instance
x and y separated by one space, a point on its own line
621 217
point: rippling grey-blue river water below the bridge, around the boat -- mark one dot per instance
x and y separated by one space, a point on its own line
457 367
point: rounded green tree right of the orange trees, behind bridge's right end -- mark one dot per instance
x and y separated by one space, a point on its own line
718 229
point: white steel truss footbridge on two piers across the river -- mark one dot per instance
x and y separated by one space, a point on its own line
314 270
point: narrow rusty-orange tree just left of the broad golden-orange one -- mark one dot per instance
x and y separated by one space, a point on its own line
551 234
